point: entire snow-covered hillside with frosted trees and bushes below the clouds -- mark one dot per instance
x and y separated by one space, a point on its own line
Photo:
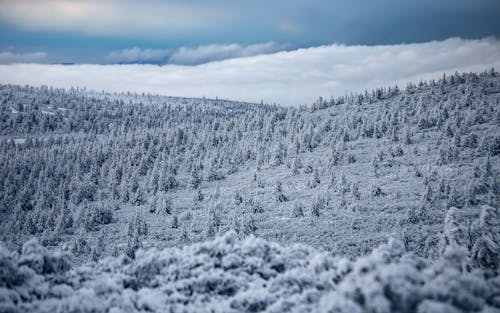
384 201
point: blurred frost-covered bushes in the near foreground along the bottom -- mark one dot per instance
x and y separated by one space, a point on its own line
251 275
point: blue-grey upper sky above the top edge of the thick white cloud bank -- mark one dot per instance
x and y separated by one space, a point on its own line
193 32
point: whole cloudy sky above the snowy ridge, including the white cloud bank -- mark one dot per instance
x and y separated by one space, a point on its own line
246 50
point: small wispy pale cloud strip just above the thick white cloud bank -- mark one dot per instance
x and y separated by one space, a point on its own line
193 56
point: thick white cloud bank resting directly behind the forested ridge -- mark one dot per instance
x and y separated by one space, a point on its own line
287 77
